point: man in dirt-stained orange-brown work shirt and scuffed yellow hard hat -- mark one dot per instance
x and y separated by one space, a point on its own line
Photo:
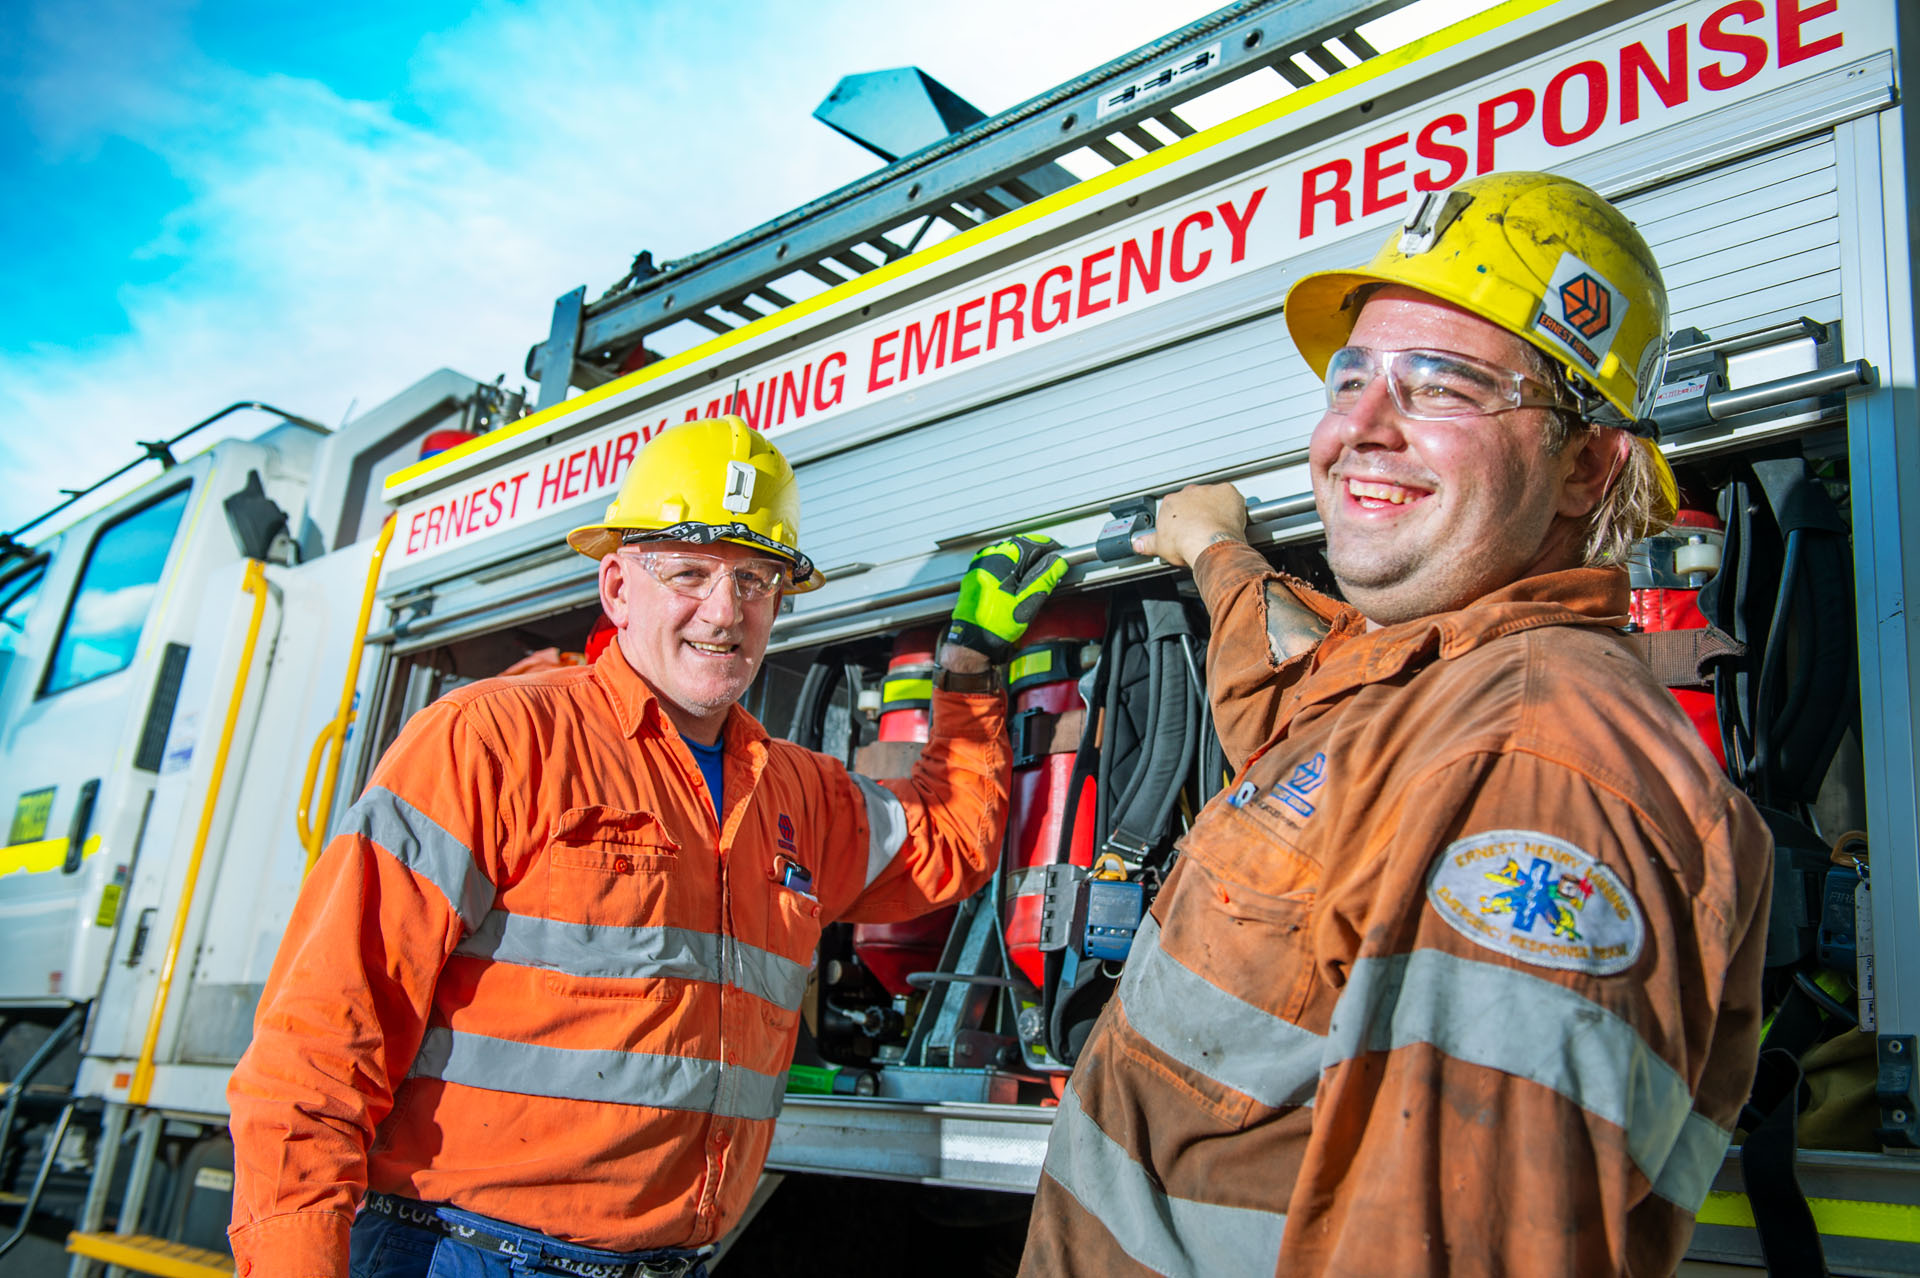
1462 974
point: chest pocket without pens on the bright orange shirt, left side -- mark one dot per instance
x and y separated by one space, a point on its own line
610 866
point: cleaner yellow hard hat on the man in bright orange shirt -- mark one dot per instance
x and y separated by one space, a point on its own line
709 481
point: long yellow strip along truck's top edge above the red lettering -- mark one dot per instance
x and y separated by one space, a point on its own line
1088 189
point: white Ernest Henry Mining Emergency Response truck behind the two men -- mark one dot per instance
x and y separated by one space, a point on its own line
197 678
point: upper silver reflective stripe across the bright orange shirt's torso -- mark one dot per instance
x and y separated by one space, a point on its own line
635 953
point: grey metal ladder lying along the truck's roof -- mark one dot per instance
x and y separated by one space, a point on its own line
1116 114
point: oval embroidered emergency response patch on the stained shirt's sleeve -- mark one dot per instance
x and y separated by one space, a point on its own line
1539 899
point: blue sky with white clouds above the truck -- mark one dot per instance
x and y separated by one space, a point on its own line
320 204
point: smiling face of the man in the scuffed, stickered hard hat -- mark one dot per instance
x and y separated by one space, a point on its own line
1428 517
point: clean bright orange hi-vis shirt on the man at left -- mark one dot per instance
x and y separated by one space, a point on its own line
535 980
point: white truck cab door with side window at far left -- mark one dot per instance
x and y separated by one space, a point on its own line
91 678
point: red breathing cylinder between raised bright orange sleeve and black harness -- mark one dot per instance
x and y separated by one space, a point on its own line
1045 726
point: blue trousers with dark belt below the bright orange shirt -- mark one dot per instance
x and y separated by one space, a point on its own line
387 1248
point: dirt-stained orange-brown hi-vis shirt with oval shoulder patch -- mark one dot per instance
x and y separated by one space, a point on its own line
1462 976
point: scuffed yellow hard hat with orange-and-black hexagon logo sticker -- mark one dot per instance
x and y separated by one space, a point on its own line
1541 256
